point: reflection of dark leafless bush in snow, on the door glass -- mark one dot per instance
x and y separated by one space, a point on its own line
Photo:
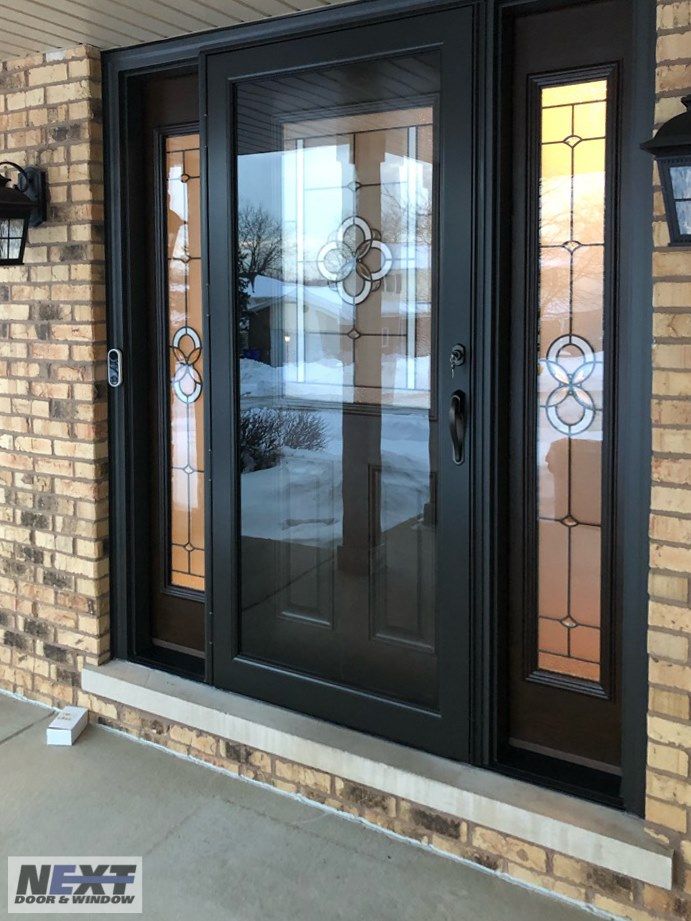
265 432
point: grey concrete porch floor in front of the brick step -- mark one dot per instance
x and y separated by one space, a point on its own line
215 847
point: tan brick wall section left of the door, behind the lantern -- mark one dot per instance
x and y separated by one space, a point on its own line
53 438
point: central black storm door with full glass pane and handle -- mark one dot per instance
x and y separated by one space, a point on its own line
339 213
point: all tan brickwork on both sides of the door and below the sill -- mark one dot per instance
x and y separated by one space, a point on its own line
53 525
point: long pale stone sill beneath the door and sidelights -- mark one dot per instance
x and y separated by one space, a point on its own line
552 820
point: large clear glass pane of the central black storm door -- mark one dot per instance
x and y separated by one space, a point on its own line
336 315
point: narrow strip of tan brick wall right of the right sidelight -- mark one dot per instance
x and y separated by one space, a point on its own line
669 726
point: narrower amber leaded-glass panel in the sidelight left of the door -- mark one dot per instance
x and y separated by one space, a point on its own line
186 401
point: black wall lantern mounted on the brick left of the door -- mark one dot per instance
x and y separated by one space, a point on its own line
21 206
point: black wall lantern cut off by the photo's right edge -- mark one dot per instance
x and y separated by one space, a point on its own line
671 147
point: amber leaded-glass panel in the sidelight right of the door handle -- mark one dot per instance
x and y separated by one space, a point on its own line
570 375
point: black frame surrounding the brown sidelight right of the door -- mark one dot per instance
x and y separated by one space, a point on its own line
633 448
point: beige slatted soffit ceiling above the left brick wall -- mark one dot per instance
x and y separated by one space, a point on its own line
28 26
